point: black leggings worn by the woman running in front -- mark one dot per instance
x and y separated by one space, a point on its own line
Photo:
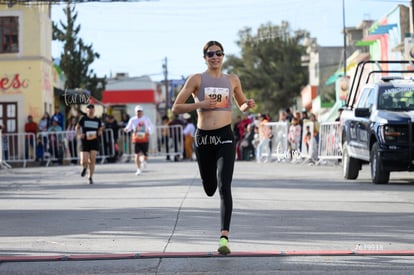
216 152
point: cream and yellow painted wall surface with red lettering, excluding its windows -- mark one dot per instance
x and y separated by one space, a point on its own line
30 70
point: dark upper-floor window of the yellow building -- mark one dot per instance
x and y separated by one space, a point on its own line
9 33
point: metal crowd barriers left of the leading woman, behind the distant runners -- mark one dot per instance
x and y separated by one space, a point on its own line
64 146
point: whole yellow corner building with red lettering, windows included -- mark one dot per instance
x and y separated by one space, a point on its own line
26 69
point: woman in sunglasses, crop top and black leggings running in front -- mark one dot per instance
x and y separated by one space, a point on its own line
213 93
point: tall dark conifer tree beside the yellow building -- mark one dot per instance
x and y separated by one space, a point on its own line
77 56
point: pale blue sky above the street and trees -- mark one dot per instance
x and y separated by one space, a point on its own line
139 37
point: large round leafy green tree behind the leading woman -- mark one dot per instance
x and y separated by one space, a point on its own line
270 66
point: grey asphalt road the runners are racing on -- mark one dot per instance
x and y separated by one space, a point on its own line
287 219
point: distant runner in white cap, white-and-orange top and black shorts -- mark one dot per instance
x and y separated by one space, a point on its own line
141 128
